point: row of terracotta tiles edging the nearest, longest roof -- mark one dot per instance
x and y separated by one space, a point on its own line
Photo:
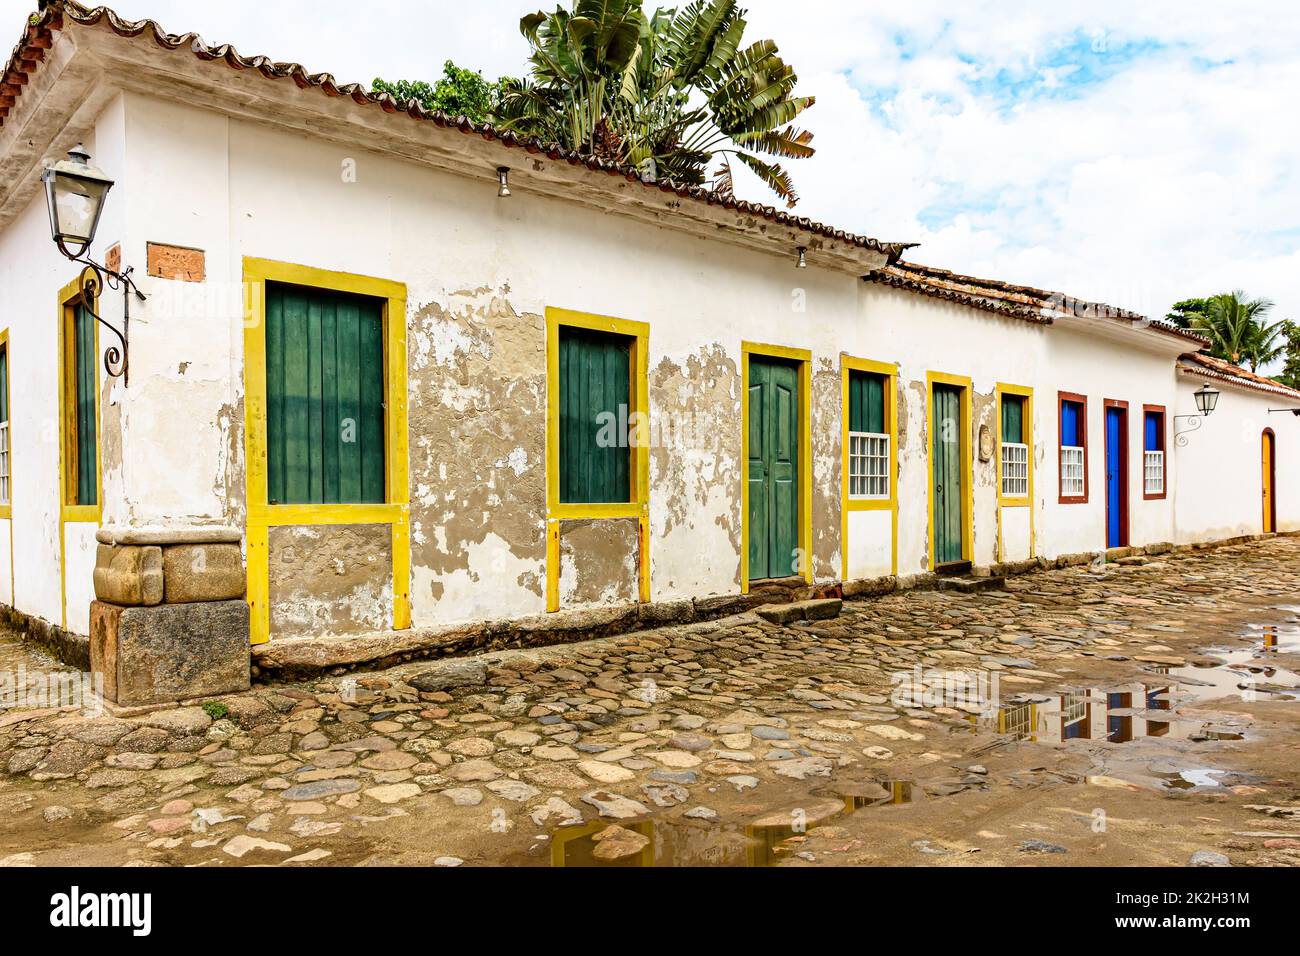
55 15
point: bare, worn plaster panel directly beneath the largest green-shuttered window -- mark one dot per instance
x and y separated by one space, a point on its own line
331 581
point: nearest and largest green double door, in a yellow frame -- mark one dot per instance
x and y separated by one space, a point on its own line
774 469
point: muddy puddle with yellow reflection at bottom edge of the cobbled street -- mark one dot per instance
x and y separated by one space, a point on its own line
765 842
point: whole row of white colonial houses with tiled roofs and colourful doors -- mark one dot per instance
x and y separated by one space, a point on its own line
418 412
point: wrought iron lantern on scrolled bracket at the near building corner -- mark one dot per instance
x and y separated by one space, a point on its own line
75 194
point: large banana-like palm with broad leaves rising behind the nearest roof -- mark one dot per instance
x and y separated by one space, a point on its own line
665 93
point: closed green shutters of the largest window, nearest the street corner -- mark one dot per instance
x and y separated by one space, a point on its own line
324 397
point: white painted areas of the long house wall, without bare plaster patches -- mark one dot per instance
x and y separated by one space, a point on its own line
235 189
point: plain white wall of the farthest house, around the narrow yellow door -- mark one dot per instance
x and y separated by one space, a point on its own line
1220 492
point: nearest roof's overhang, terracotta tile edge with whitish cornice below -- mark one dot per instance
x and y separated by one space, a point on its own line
73 62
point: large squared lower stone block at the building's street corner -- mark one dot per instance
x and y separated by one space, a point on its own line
171 652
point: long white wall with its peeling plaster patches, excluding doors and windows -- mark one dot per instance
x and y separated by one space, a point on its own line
480 274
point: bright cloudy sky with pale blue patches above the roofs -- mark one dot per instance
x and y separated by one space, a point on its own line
1132 153
